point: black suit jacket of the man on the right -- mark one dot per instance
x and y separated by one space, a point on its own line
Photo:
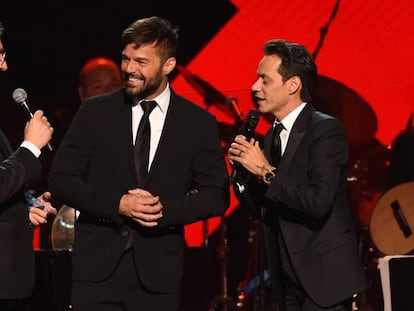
307 202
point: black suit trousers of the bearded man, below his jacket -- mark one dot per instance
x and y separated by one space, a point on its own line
121 291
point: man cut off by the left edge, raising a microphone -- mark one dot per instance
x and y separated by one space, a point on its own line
17 170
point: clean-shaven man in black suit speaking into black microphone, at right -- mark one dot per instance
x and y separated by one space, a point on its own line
301 187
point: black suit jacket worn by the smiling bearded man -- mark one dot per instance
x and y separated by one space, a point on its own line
94 167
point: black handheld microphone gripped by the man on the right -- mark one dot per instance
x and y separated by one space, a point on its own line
240 175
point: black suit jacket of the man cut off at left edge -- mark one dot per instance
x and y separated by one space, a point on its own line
16 256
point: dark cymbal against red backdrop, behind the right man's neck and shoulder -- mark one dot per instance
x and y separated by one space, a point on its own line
338 100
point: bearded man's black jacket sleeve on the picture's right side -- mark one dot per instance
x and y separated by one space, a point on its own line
210 179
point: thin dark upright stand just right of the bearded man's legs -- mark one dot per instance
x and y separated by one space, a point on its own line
223 302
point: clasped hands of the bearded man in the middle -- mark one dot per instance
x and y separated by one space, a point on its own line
142 207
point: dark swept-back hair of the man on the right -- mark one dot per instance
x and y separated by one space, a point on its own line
296 61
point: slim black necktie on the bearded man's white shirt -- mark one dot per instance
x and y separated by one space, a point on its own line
142 142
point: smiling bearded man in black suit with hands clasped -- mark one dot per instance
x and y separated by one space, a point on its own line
129 237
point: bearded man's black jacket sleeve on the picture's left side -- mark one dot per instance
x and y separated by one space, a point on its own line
69 178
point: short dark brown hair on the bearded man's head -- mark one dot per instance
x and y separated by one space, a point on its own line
153 30
